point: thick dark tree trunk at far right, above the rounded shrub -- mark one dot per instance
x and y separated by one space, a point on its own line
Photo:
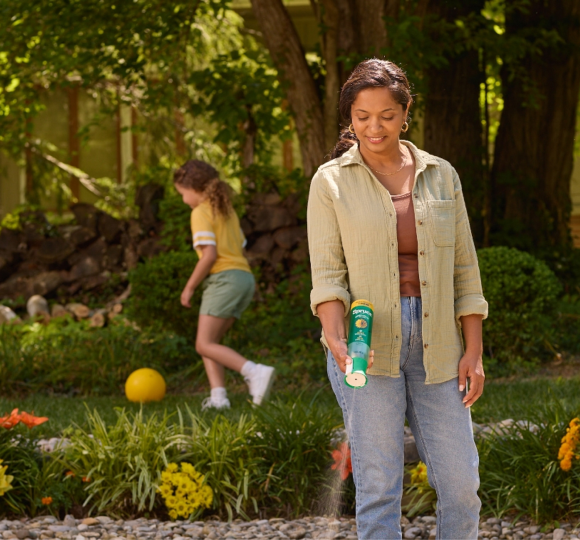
533 157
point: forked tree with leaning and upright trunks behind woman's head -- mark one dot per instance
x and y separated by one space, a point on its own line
350 29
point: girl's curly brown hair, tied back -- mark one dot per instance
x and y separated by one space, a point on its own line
202 177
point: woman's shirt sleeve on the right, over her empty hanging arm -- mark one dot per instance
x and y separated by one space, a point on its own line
468 292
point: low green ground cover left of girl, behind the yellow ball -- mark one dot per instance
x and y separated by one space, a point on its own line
69 357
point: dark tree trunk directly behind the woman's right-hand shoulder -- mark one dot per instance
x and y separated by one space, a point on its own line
453 128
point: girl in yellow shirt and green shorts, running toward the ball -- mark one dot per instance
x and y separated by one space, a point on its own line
229 283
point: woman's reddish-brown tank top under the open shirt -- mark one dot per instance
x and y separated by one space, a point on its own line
408 247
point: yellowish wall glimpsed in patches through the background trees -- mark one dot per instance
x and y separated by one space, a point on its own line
112 147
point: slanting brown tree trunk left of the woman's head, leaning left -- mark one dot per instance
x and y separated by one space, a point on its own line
284 45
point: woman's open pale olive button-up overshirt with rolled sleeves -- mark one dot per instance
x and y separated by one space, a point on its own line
352 237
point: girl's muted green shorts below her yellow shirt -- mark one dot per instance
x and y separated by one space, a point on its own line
227 294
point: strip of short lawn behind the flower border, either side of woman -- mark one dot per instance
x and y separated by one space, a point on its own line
500 400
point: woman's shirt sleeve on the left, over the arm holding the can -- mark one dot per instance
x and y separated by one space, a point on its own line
329 271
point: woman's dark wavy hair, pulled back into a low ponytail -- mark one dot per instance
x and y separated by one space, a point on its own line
373 73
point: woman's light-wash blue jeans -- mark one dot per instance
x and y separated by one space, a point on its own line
374 418
